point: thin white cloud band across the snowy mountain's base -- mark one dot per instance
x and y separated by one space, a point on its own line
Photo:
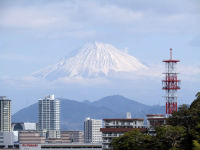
154 73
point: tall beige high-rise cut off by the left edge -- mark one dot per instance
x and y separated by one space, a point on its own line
5 114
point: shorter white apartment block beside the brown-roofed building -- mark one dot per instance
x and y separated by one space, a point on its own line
92 132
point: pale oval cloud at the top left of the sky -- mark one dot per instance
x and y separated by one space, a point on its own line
30 18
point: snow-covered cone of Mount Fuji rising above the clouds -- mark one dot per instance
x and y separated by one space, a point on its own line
91 61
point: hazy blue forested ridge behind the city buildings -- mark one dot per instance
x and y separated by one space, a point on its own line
73 112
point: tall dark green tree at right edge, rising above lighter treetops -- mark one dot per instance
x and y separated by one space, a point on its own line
188 117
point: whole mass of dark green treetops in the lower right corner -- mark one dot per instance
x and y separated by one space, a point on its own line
182 132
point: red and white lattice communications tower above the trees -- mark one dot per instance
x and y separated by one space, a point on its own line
171 84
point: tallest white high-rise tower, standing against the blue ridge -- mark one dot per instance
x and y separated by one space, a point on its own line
49 116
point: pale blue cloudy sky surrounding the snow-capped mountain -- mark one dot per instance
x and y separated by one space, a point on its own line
35 34
